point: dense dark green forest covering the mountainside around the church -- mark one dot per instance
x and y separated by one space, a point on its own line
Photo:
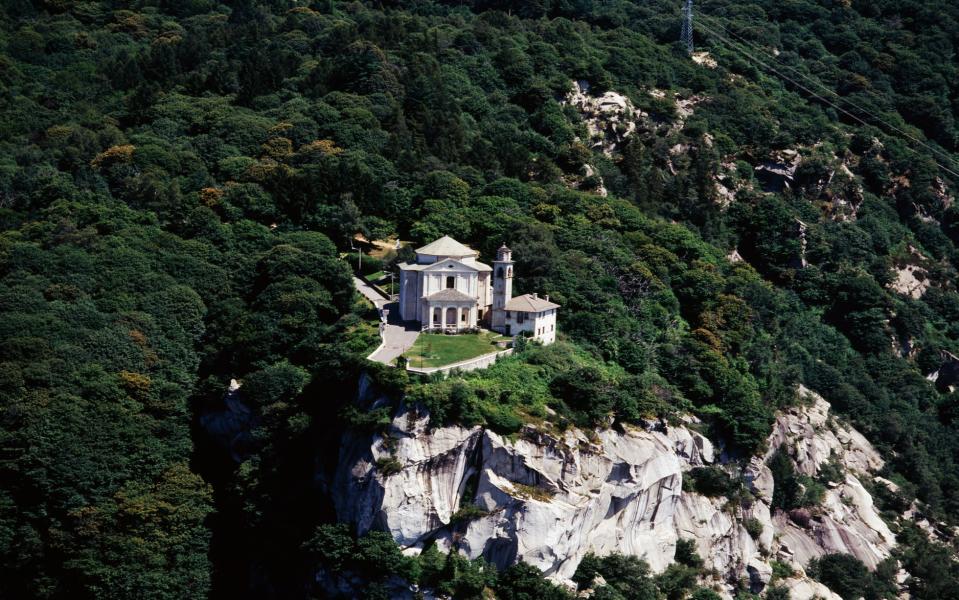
179 181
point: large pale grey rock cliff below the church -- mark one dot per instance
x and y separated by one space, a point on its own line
550 499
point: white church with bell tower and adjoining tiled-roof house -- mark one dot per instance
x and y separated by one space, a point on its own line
448 290
